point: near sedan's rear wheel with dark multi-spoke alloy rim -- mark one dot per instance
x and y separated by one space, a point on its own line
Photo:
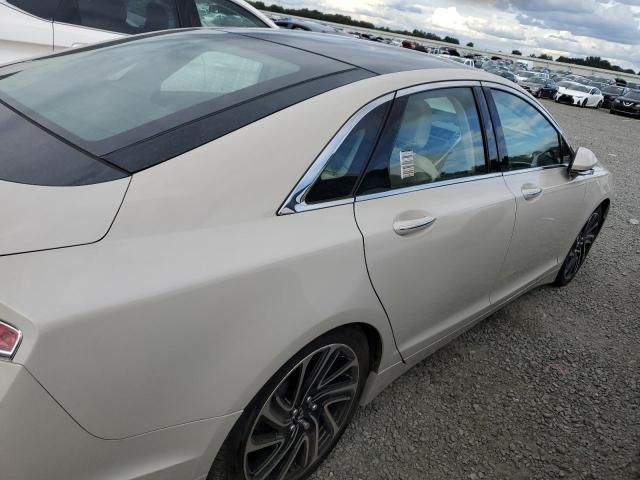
299 416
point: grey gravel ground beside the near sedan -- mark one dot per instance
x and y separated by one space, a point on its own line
549 387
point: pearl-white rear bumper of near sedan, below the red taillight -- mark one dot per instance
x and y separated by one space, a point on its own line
39 440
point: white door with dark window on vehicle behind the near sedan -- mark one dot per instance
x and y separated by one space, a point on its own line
83 22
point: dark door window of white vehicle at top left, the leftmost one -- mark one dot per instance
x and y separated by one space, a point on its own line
131 17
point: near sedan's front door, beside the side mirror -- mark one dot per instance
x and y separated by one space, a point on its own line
549 201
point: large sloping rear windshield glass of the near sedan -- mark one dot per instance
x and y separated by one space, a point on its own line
106 98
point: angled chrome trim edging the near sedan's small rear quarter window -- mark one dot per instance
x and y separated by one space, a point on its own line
295 202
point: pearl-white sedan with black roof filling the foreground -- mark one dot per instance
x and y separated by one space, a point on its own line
217 244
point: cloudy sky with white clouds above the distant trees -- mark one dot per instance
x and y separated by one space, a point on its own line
609 29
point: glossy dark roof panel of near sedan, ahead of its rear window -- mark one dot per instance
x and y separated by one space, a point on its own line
373 56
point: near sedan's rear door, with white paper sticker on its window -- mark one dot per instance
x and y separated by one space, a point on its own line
436 220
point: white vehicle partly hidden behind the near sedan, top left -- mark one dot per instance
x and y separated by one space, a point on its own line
31 28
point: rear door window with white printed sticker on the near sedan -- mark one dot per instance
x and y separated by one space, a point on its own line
431 136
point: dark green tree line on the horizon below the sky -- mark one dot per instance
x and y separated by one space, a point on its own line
595 62
